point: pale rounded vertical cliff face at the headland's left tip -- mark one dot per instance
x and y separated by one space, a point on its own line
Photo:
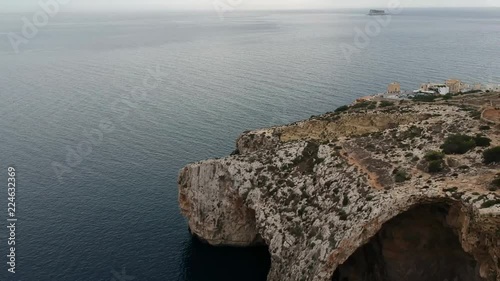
210 199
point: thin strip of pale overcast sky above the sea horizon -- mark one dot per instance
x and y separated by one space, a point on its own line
10 5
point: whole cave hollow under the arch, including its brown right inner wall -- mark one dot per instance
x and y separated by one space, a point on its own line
433 241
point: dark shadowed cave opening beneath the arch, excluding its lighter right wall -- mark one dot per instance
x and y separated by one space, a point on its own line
413 246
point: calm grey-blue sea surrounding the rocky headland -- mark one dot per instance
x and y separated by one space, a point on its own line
115 209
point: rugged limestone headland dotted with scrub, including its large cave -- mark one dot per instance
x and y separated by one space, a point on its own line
331 193
